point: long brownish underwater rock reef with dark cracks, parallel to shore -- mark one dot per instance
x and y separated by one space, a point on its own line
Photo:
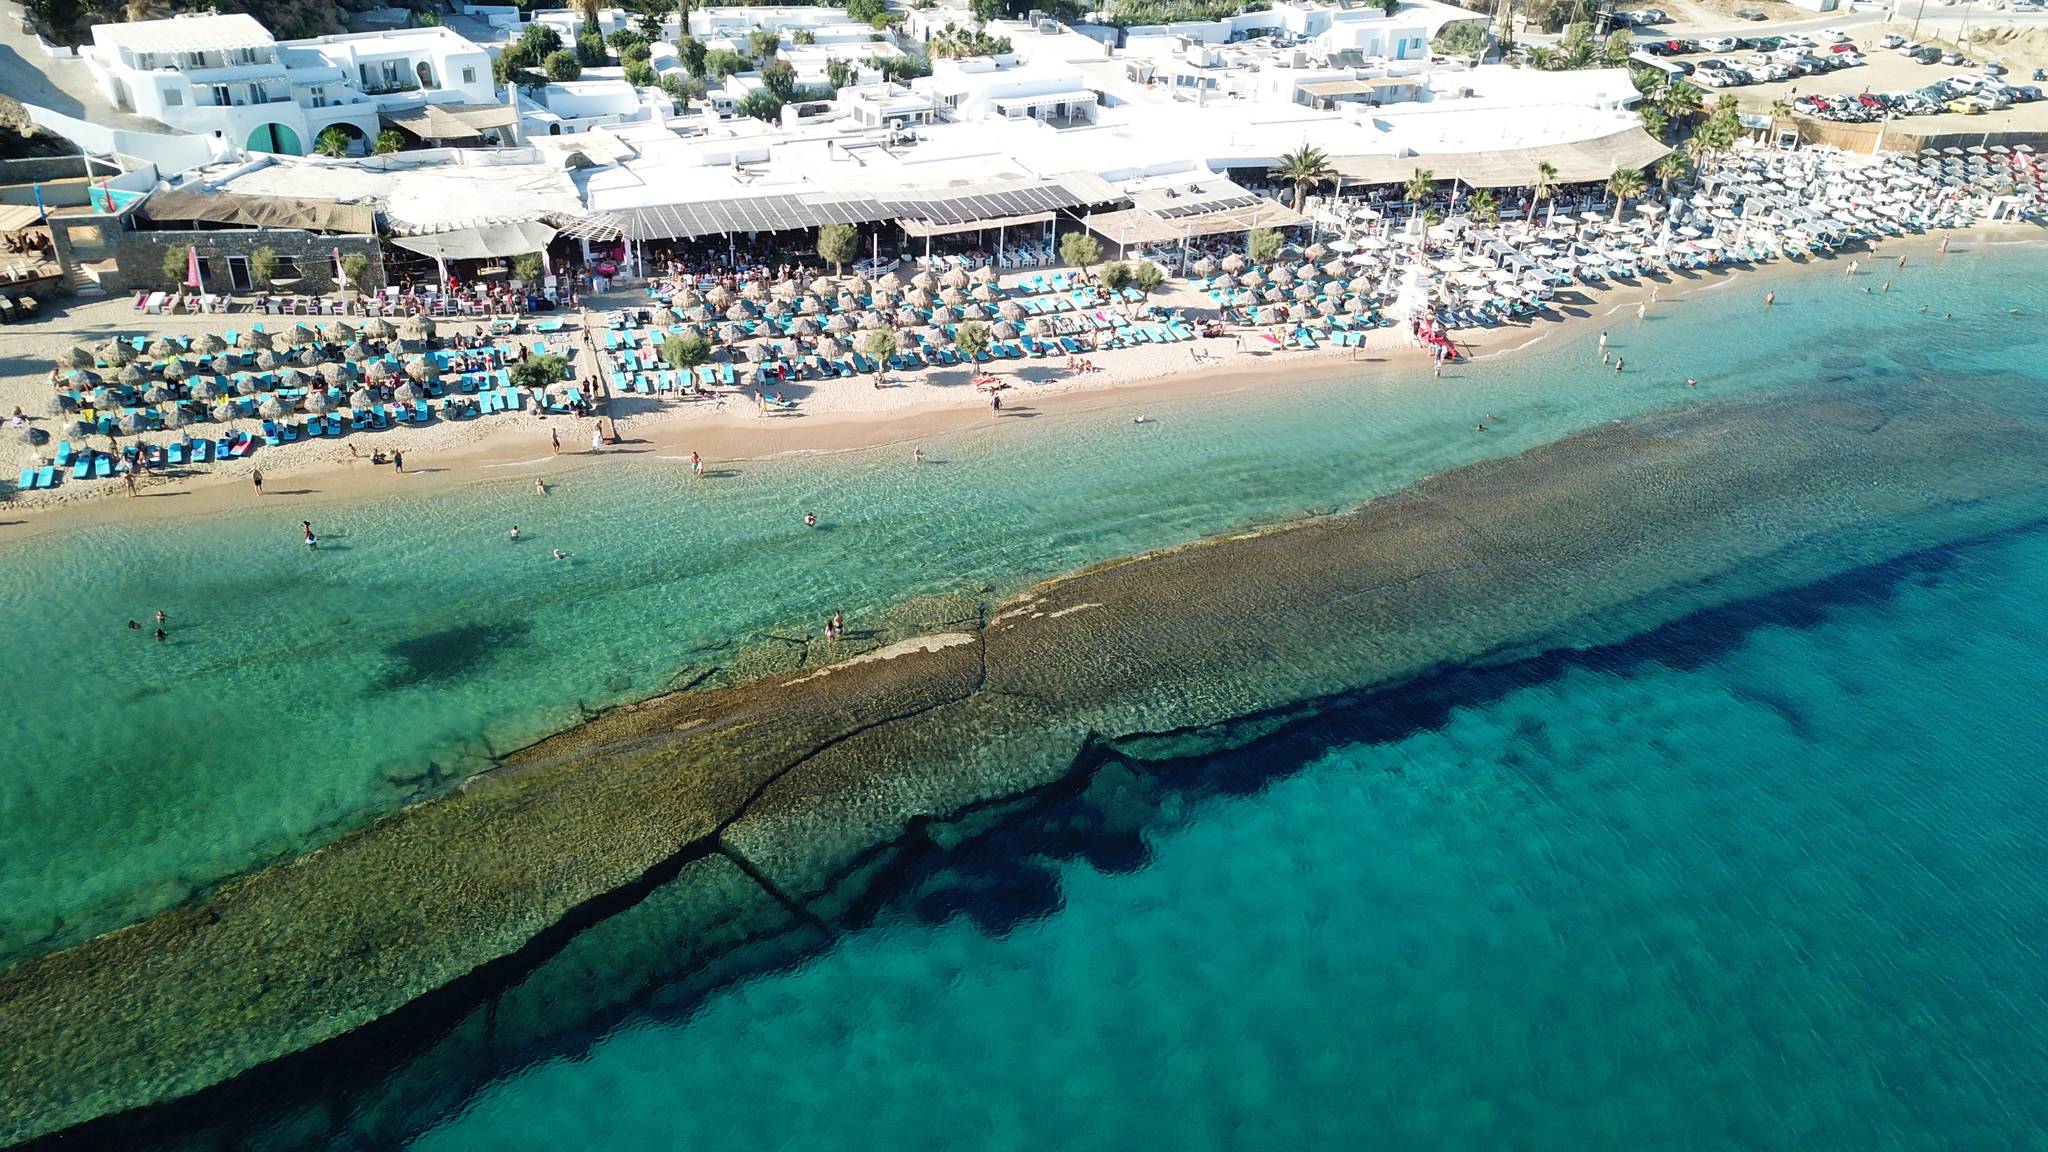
773 809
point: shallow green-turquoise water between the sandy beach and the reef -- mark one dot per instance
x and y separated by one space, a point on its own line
304 694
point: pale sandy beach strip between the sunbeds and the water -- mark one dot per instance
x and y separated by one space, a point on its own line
830 417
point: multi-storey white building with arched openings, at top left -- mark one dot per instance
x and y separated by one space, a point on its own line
226 77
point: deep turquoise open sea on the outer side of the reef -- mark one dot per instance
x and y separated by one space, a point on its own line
1770 878
